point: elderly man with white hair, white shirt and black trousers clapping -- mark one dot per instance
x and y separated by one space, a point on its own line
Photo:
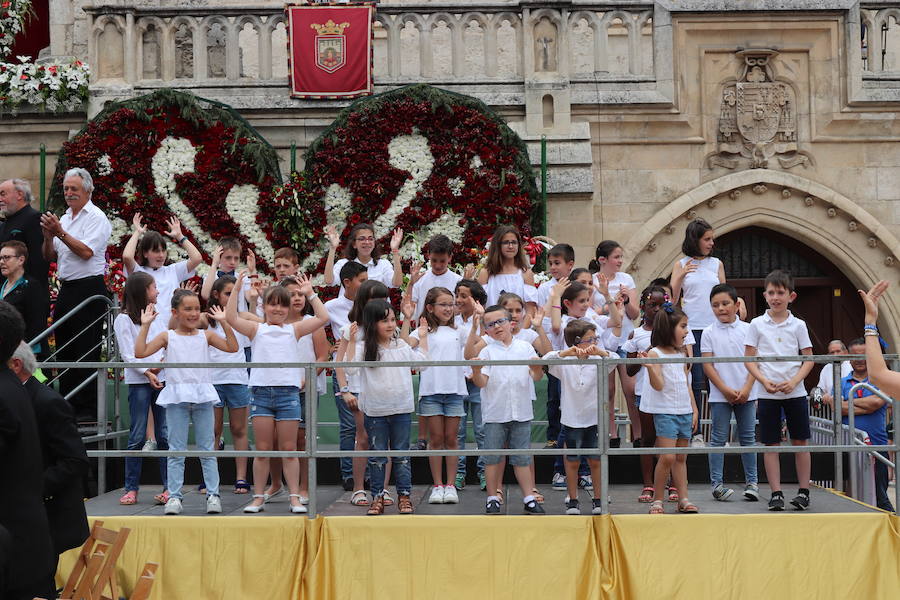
77 243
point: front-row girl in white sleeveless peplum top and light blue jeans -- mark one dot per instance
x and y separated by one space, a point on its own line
189 394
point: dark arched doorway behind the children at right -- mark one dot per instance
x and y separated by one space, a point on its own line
826 299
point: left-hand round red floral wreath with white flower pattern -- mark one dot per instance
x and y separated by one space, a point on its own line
171 153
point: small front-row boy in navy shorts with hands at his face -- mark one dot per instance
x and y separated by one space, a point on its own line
578 403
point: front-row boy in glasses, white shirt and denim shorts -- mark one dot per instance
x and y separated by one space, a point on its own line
506 405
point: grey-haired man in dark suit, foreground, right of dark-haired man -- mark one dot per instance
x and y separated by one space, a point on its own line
65 458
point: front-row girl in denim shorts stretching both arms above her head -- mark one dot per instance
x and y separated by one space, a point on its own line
275 404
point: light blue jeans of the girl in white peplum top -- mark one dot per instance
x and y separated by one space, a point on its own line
179 417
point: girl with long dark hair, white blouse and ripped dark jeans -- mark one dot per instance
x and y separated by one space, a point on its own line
386 396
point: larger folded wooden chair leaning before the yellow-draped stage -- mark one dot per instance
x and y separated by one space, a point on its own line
95 568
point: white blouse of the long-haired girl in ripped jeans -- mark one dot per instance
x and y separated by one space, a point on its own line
387 390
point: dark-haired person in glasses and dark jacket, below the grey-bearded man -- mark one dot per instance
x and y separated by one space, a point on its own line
27 295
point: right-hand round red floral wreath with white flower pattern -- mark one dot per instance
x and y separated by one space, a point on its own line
419 158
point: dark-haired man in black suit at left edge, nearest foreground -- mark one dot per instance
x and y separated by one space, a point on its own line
30 568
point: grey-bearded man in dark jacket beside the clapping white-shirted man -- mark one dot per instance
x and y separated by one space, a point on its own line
23 224
